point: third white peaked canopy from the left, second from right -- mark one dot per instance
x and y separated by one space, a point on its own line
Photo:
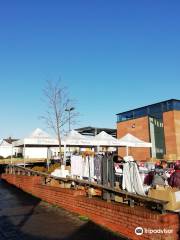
105 139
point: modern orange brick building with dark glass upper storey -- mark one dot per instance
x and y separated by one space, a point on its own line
158 123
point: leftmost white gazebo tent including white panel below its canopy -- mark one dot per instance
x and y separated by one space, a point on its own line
36 145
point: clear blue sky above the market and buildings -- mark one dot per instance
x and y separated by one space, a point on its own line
112 55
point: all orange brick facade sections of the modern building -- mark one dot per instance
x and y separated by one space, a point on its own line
140 128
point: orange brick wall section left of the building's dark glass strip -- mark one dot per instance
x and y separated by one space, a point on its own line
139 128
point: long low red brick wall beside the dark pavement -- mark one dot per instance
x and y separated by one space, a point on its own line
116 216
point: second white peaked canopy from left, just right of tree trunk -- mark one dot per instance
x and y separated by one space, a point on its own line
76 139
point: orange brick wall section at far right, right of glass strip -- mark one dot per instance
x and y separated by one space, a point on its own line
171 121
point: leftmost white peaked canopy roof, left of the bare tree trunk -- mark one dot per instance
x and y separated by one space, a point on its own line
37 138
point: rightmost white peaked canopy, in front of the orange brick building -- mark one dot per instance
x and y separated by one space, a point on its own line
131 141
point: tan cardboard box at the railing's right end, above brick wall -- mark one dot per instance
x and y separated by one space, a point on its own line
172 195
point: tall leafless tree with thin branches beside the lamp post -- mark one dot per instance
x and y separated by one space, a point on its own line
58 102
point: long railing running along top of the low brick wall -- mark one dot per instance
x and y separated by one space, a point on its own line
129 198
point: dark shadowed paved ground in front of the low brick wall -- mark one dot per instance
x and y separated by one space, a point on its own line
23 217
